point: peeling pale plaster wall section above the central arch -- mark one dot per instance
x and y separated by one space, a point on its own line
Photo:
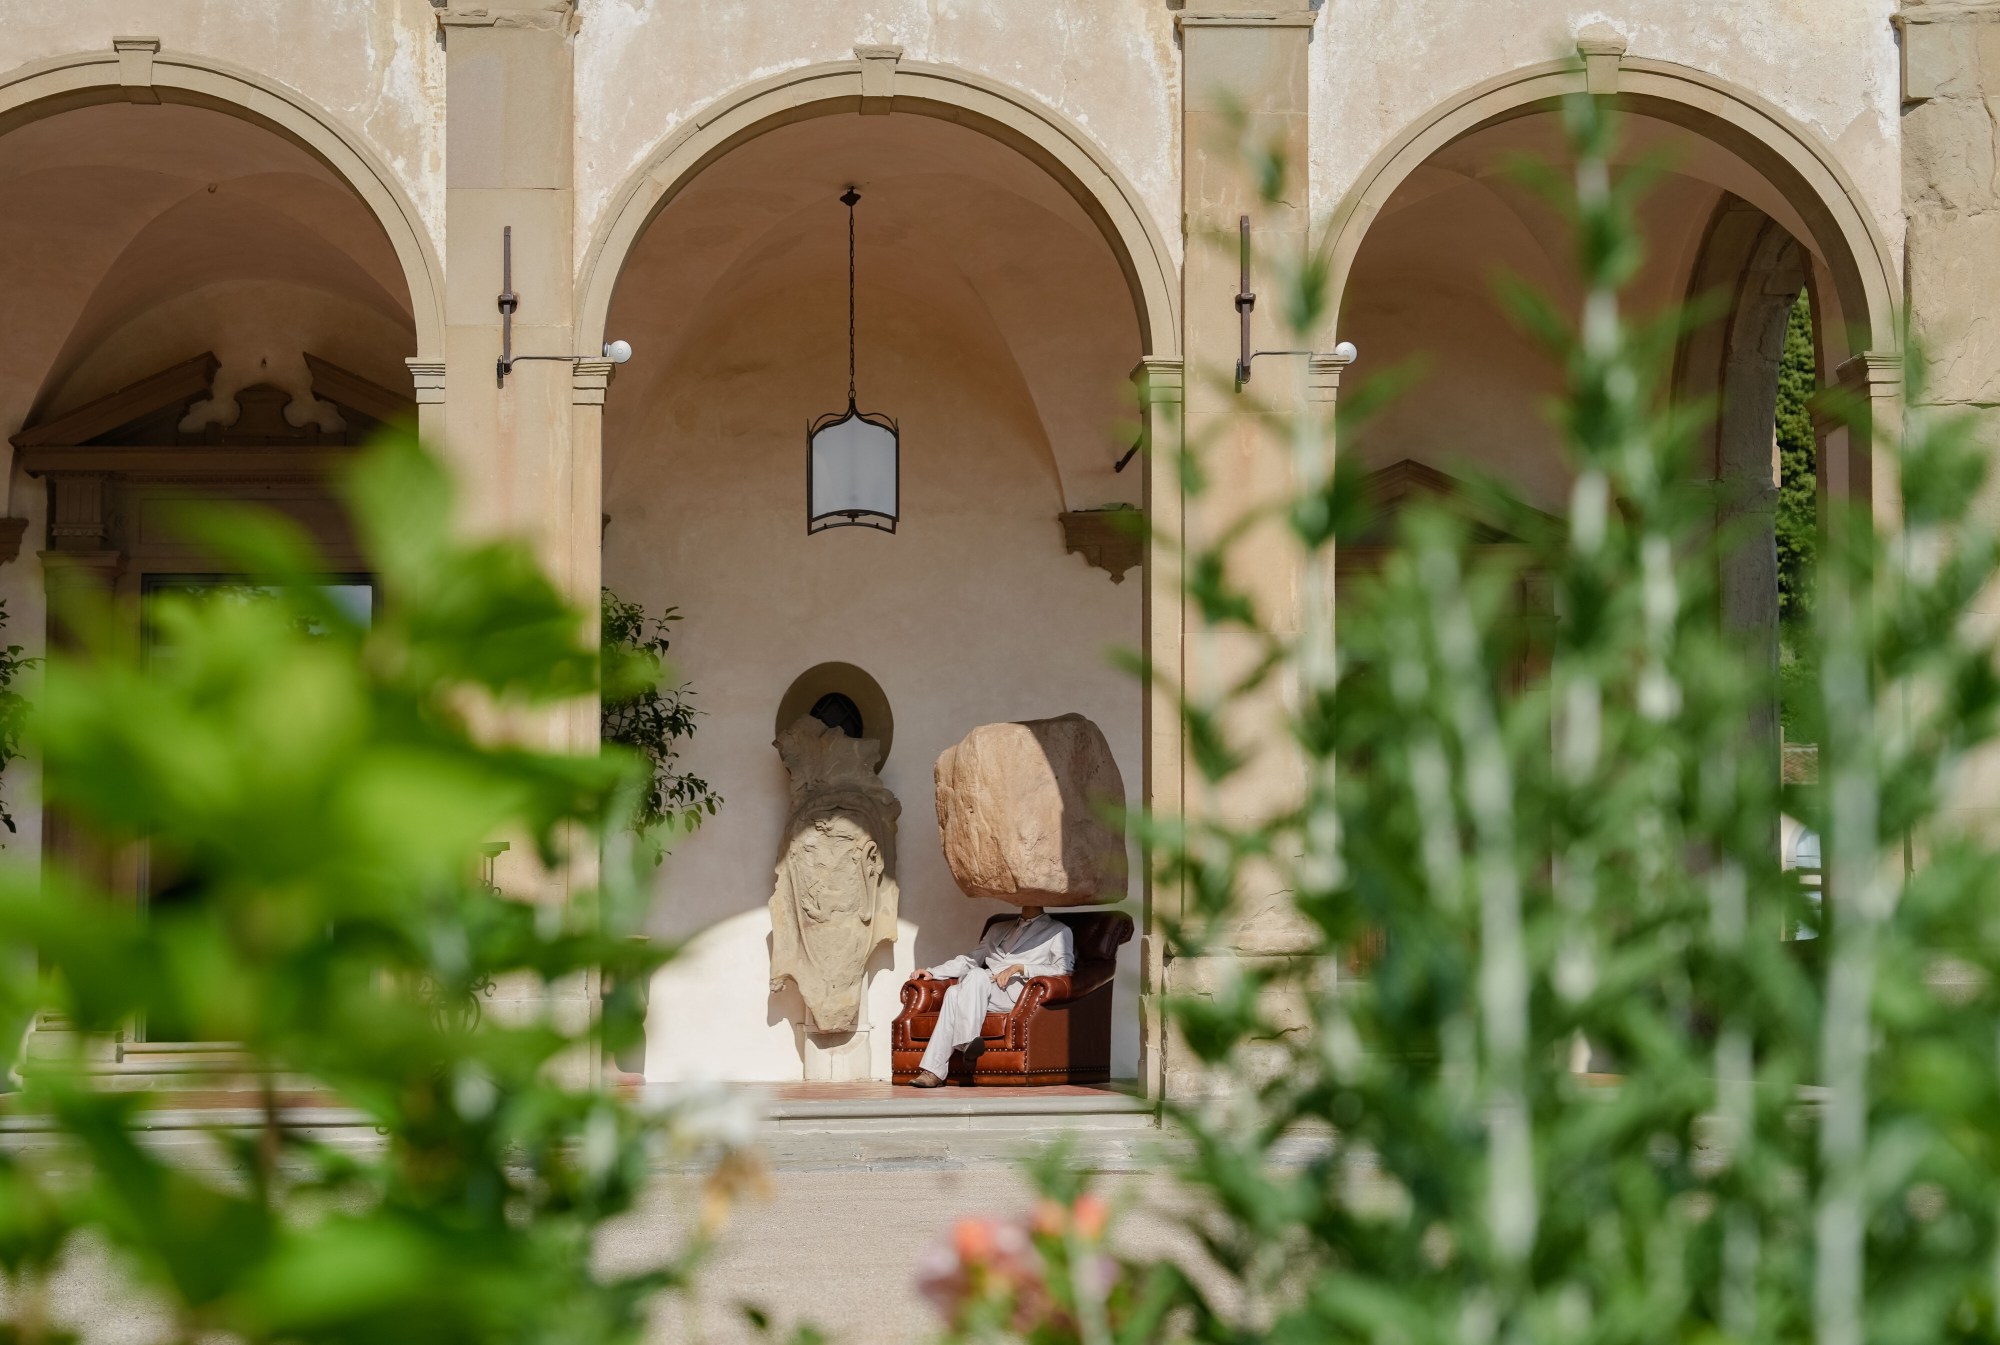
645 67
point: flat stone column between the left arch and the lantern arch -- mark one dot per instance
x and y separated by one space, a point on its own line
509 167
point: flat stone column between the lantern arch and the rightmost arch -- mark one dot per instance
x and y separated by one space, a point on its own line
1245 93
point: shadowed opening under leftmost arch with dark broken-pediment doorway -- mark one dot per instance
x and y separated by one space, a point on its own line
201 309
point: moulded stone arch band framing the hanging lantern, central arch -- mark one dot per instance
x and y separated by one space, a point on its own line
1041 135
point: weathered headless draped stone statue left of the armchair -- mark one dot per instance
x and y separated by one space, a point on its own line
837 872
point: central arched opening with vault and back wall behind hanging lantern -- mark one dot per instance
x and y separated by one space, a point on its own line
999 327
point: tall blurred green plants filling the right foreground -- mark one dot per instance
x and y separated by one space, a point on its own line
1551 1066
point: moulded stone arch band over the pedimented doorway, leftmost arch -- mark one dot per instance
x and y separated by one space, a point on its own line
137 71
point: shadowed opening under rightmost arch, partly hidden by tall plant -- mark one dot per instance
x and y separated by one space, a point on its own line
1729 223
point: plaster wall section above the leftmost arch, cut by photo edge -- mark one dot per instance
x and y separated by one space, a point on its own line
375 65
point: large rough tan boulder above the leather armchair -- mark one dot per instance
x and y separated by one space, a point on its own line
1021 812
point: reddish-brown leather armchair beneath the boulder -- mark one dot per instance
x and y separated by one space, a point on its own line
1061 1032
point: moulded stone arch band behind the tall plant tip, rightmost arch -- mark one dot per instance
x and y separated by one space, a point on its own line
1791 157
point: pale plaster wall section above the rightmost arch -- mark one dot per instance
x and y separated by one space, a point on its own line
1831 65
